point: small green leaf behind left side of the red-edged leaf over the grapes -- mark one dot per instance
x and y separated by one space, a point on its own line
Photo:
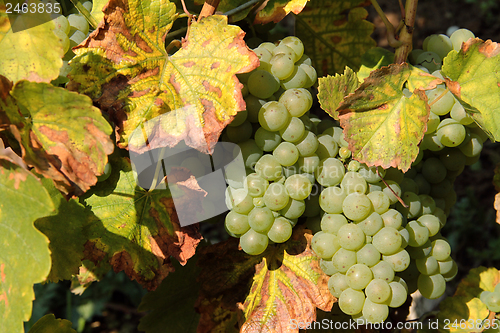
333 89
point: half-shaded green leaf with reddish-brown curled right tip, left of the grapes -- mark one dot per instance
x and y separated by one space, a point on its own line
136 230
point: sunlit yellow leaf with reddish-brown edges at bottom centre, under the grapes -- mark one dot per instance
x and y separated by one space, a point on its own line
287 287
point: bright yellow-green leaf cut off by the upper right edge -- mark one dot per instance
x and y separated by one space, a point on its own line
473 76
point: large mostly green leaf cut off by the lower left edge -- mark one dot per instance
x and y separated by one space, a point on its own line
24 251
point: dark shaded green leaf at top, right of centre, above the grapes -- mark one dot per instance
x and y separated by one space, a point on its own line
333 39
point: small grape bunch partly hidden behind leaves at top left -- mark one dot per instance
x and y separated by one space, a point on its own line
71 31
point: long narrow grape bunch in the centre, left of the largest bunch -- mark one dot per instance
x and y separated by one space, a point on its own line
276 139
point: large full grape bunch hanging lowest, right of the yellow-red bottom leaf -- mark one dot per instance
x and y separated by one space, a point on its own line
376 250
